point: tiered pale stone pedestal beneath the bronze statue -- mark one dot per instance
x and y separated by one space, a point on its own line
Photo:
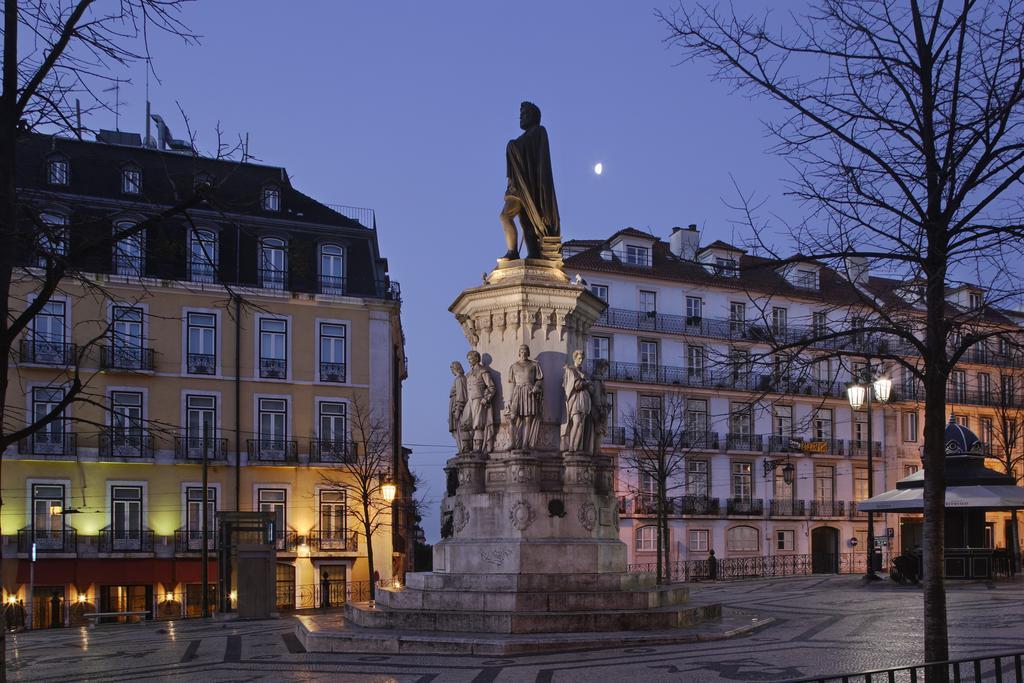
532 536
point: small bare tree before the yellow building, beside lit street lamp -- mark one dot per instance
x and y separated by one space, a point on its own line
363 472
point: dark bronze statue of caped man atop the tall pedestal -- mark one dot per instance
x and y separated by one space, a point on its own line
531 193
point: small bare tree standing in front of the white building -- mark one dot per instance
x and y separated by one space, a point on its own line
660 445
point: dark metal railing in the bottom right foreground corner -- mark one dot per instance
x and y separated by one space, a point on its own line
1008 668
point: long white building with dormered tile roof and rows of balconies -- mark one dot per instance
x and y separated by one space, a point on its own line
699 323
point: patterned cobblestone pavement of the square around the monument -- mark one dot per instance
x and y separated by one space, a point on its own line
824 625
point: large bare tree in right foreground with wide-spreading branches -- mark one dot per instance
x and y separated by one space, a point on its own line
904 126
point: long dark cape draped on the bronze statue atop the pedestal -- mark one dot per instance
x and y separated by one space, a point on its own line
529 161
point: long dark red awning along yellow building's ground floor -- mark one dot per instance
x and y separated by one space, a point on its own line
114 572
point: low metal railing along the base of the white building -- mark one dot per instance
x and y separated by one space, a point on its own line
758 568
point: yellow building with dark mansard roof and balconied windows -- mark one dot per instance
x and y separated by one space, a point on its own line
260 319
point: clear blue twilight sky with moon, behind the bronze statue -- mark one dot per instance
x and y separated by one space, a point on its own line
406 107
